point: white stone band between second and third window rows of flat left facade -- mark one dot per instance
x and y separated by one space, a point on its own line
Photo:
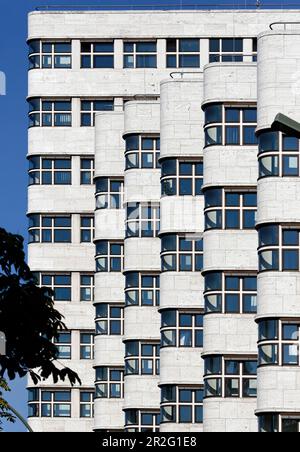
64 141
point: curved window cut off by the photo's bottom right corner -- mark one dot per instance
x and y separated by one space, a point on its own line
276 423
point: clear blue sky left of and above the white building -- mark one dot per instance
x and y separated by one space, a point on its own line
13 114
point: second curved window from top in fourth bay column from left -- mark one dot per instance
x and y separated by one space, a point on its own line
230 209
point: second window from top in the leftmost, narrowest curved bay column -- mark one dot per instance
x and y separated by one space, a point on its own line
109 256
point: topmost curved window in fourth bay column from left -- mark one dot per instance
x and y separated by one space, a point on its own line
230 125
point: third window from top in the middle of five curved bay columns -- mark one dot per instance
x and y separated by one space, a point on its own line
181 328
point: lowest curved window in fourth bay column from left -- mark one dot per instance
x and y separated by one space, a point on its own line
230 377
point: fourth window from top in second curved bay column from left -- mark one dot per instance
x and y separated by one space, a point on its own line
141 358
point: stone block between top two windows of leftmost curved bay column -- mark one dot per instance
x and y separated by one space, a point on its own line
109 224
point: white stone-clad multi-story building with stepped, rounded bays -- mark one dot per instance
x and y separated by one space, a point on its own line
153 162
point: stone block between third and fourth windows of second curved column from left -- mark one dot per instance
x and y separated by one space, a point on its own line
141 323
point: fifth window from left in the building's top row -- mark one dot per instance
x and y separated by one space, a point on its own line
225 50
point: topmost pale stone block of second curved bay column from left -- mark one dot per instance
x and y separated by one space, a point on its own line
141 116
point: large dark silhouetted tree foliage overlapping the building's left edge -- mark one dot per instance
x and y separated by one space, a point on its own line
28 318
